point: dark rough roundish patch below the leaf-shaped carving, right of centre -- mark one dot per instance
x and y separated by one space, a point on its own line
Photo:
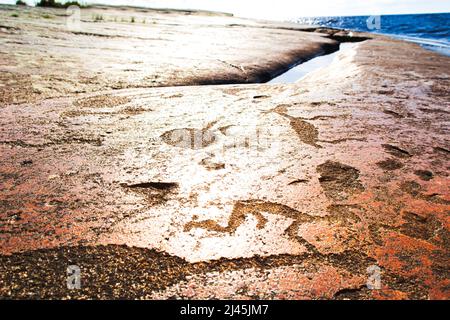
338 180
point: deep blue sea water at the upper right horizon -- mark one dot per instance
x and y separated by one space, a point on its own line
432 31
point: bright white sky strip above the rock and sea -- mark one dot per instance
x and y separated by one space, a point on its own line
285 9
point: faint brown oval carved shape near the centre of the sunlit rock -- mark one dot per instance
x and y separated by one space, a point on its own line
189 138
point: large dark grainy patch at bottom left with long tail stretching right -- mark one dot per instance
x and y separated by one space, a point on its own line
122 272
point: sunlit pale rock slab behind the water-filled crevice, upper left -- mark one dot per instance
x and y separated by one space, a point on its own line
45 54
